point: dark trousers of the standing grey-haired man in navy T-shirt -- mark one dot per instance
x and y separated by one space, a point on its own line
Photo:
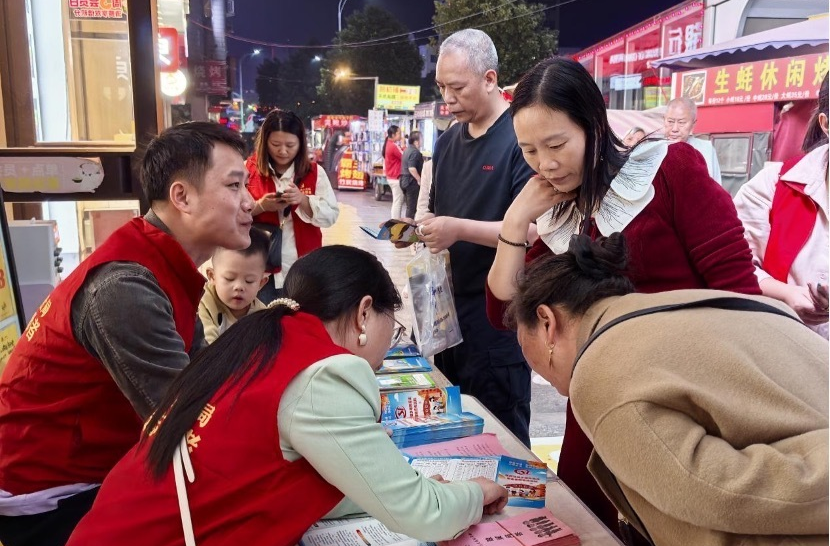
489 365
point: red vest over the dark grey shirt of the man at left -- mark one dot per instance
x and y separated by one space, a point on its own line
63 420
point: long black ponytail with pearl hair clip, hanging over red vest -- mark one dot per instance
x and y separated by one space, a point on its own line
328 283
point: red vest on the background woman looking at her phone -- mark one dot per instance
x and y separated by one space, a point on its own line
306 236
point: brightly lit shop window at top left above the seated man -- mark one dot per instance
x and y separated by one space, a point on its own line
81 82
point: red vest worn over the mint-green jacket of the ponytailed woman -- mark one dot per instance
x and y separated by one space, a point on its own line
245 492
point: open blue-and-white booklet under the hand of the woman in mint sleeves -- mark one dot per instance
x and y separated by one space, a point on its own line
525 481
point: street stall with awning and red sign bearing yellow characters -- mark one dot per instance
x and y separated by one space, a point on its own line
754 94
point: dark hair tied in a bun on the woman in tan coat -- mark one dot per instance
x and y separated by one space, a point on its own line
574 280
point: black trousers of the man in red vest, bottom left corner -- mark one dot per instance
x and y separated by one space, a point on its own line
51 528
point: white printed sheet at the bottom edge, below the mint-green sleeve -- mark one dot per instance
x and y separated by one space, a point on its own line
354 532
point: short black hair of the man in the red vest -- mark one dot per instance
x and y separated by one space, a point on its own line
183 151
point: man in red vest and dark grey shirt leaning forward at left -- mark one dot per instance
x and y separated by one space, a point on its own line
102 349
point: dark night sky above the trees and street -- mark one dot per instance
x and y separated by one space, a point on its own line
299 21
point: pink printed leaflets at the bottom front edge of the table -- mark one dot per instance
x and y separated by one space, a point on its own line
532 528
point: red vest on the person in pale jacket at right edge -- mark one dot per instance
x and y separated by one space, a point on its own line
792 219
